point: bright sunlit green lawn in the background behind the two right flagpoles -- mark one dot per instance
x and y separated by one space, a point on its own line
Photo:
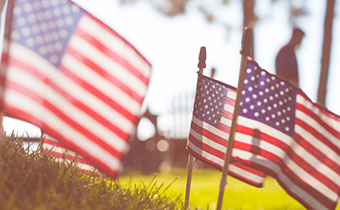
205 187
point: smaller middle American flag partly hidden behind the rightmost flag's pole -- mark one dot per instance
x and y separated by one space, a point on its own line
209 132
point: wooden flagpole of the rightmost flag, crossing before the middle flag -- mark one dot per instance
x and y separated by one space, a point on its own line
246 50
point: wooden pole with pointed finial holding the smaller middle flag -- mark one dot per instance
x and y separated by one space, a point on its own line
201 65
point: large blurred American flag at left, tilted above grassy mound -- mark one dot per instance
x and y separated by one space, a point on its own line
74 77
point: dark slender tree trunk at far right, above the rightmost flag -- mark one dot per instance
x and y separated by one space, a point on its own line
326 51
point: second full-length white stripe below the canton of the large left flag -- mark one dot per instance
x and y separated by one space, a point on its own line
33 84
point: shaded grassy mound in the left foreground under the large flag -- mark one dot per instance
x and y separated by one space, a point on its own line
34 181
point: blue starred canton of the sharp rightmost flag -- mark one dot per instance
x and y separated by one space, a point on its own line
268 99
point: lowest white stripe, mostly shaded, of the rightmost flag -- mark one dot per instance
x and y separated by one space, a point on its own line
303 195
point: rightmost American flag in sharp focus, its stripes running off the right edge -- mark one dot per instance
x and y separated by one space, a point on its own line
283 133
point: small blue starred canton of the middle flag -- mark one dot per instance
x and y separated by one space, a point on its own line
209 101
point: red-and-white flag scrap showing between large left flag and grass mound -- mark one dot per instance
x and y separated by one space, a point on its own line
59 151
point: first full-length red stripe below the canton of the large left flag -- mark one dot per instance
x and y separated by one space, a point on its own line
77 103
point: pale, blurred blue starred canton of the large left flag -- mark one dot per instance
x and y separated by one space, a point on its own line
45 26
